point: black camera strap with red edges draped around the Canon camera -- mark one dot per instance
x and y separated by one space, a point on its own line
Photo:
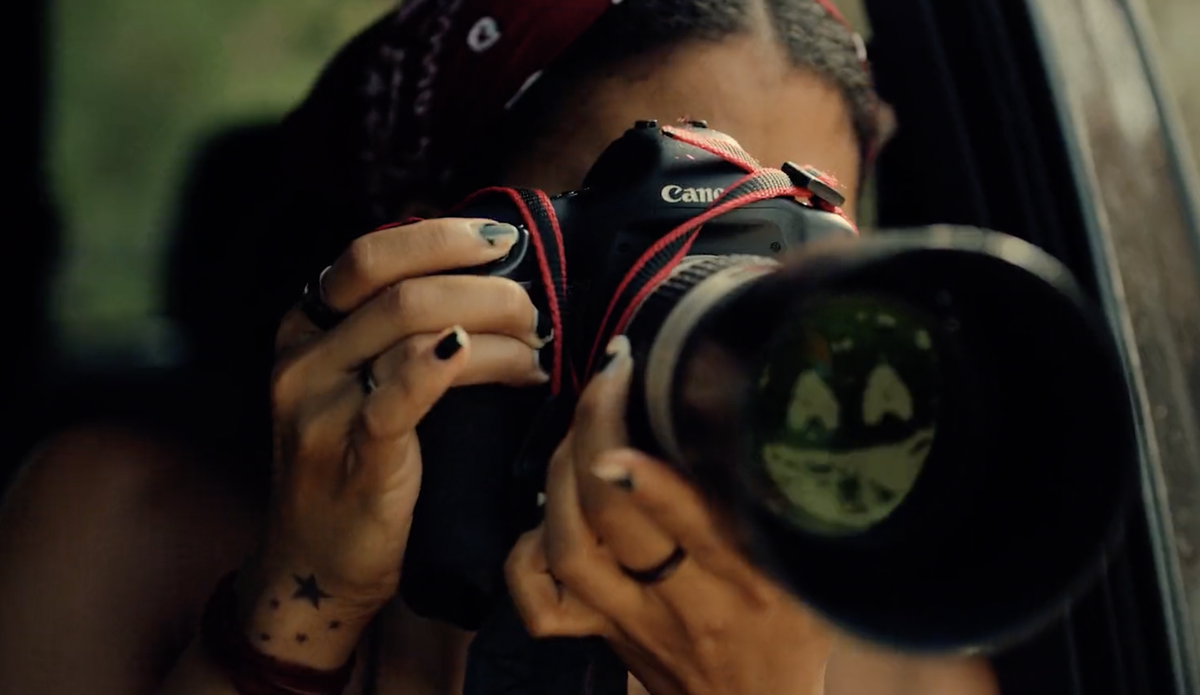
503 657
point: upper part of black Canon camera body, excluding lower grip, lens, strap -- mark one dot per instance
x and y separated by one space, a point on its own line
646 184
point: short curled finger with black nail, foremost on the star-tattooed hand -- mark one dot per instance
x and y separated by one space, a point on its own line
399 404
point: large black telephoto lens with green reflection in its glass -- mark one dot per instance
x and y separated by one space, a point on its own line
926 435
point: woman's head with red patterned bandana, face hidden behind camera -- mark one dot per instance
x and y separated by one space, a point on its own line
452 95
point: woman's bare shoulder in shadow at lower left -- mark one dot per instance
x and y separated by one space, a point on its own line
111 540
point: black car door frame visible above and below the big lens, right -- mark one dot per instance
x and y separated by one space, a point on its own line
981 145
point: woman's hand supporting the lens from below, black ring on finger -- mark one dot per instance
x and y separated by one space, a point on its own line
713 625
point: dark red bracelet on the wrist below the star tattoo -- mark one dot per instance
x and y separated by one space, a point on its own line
250 672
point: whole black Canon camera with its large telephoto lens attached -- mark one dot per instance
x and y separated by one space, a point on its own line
926 435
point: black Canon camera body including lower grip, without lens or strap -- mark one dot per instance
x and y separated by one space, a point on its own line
483 474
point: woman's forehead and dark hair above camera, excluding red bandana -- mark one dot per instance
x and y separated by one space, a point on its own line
785 77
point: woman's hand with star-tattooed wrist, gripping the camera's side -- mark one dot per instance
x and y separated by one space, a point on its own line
346 403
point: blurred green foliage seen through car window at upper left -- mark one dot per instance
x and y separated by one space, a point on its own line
136 87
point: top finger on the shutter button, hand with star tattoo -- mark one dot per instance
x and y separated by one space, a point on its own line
383 259
